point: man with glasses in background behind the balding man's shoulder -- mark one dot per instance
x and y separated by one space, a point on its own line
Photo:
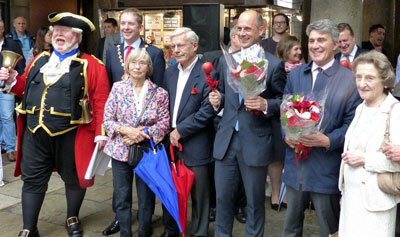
280 25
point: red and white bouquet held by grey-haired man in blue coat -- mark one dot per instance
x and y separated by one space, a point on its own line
301 115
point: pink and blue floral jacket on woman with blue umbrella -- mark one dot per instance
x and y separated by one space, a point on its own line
120 110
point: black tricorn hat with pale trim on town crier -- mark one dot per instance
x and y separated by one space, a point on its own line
71 20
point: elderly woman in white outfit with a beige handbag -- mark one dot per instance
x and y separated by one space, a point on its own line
366 210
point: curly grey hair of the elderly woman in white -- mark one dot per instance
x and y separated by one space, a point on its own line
382 65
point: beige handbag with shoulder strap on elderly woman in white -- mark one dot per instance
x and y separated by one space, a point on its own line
389 182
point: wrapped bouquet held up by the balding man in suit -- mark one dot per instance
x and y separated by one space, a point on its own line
247 70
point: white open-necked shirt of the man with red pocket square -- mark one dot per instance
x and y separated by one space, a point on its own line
182 79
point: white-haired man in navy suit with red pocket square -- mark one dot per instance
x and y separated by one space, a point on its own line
191 123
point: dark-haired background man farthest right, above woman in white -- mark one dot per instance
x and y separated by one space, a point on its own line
376 38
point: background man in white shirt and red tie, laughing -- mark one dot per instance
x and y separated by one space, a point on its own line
347 45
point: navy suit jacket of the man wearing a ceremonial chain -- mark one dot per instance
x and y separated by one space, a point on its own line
115 69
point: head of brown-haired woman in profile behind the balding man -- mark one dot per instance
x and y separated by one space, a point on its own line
289 50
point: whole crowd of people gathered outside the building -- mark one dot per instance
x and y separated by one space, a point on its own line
72 103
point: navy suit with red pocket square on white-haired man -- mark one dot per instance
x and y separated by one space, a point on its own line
194 124
